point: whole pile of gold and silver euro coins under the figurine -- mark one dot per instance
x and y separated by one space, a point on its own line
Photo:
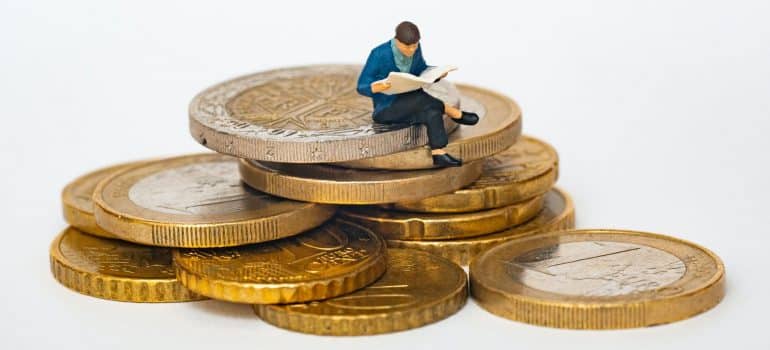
329 224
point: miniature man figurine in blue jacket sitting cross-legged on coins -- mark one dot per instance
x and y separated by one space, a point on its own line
403 54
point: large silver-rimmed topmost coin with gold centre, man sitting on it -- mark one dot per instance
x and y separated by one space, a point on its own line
307 114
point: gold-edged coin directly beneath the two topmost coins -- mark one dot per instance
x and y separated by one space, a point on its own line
330 184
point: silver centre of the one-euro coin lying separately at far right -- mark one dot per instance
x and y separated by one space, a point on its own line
596 268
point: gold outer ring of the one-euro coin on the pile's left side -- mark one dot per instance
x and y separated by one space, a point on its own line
117 213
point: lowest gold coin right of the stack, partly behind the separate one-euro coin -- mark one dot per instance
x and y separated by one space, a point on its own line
558 214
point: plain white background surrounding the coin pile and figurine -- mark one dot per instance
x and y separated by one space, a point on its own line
659 109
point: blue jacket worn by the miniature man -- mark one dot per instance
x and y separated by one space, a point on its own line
379 64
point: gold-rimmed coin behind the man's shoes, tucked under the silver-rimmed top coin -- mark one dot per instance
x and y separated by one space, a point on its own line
498 128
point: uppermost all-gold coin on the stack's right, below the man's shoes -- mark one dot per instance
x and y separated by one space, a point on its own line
527 169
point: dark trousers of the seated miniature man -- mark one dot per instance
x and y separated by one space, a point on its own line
417 107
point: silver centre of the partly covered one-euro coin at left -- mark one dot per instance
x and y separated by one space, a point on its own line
205 188
